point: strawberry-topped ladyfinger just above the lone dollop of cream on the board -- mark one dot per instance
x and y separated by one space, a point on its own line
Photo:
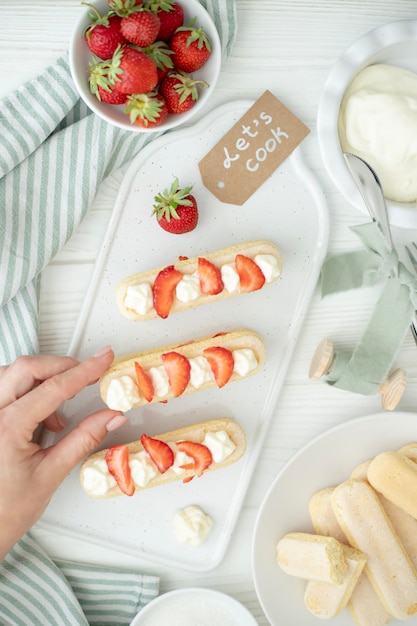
149 462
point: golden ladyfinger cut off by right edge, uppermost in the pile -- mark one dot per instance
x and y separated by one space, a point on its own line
395 476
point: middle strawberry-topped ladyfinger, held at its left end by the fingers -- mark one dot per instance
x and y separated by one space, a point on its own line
162 373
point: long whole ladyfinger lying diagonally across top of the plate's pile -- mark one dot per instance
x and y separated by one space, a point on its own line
367 527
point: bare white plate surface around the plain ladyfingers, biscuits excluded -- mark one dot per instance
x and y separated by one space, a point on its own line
325 462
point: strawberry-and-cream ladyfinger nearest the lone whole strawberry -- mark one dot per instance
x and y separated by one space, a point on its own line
193 281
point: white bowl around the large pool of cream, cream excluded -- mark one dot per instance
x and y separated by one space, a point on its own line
394 43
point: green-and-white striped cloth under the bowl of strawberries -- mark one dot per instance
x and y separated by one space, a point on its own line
54 153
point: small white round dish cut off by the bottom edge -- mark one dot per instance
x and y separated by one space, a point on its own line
183 607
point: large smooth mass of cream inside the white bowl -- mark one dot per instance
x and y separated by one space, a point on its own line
378 122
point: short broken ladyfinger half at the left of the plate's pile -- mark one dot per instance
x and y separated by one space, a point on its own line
312 557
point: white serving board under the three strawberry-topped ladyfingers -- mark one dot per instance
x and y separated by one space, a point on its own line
289 209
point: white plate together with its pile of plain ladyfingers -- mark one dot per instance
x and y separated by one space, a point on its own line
326 490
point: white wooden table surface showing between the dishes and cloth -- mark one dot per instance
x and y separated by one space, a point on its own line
289 47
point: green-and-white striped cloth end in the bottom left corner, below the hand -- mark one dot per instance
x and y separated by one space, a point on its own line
36 591
